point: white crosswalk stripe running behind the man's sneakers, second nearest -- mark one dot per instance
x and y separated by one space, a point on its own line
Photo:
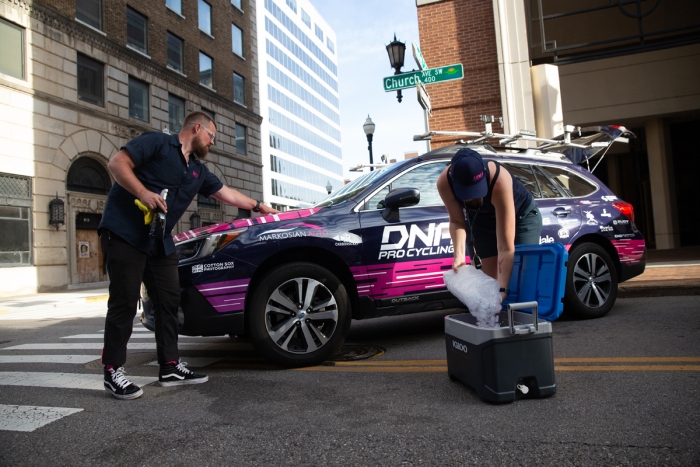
63 380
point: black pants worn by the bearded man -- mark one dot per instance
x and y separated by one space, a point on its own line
127 267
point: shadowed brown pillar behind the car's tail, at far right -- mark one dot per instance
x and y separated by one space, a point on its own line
663 196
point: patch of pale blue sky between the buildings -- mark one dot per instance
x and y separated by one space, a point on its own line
363 28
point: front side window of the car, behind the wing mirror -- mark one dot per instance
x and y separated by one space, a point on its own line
424 178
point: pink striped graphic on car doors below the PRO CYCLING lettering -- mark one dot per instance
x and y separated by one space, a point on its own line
398 279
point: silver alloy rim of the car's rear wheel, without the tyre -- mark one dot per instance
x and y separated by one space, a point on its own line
592 280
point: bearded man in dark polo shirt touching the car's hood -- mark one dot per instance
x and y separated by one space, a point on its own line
133 252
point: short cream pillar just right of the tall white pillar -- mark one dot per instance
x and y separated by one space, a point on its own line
546 97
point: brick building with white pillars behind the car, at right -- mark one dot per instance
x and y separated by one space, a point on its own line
541 64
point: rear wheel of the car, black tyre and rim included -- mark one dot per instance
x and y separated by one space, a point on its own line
591 282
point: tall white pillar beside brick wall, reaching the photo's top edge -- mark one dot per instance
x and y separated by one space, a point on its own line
513 65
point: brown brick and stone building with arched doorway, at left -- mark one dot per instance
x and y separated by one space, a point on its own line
78 79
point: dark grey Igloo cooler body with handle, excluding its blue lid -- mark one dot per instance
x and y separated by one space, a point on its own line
506 363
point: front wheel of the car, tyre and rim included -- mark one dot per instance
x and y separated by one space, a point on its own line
299 315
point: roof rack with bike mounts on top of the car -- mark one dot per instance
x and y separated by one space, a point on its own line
586 143
